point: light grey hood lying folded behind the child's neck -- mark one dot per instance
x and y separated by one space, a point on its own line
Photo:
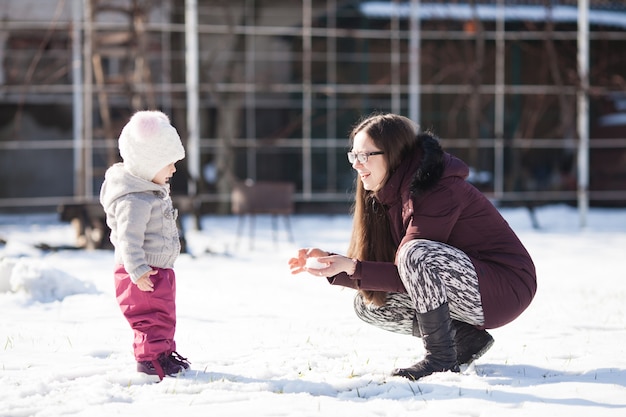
118 182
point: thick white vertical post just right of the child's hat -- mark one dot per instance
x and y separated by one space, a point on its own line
191 81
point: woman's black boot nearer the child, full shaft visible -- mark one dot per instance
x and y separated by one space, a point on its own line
438 336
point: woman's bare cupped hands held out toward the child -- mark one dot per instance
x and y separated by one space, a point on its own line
321 263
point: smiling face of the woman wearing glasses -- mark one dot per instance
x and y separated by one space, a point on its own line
373 172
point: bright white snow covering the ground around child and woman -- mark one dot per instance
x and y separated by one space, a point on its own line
265 343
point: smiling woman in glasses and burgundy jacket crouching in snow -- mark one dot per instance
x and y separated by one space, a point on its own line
429 254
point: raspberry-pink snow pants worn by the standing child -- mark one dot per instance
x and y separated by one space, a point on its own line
151 315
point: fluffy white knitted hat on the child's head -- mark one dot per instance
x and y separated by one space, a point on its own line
148 143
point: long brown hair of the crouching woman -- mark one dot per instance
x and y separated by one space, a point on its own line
371 234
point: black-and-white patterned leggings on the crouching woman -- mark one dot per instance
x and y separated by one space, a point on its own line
433 273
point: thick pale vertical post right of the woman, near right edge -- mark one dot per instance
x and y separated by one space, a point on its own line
583 111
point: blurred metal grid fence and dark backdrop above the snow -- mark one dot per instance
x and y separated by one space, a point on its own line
268 90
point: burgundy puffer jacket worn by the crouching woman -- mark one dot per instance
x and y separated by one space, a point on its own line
452 211
